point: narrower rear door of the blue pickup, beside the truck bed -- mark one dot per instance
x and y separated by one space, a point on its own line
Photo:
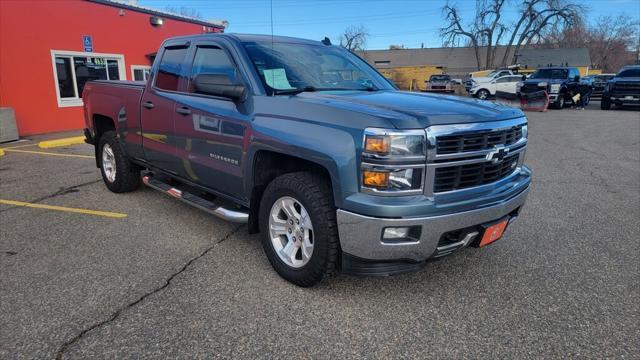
158 108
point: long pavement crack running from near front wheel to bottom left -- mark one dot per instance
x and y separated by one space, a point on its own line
118 312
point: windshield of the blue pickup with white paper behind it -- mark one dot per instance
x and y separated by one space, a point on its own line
286 67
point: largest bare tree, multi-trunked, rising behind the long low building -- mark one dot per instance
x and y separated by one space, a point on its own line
488 27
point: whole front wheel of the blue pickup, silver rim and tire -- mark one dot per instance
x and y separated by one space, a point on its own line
299 231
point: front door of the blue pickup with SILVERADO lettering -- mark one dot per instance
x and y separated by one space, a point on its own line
212 132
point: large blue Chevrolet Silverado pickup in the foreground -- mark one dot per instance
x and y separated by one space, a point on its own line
310 146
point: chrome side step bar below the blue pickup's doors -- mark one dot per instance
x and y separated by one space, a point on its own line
196 201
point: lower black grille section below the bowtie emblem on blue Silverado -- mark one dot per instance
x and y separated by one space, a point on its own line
469 175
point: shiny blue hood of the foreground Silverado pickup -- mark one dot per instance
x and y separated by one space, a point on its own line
410 110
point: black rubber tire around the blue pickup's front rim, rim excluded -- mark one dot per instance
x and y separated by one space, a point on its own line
312 191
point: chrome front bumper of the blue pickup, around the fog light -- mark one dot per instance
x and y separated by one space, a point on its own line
361 236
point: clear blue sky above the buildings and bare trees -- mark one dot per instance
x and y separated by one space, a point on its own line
412 23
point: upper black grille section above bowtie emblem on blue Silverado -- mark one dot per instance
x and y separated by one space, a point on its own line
484 140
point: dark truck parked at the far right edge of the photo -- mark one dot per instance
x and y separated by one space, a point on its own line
622 89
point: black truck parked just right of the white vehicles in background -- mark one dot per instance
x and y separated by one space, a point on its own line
560 83
